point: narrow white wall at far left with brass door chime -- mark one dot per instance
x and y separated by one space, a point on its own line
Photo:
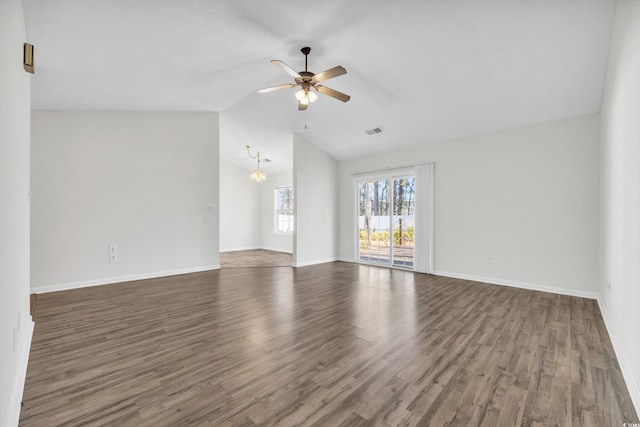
15 105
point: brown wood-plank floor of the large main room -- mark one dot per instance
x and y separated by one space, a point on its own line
336 344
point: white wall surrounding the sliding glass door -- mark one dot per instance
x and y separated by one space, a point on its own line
528 197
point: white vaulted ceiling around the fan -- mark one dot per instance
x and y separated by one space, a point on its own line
424 71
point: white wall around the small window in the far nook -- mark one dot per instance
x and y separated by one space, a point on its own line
270 240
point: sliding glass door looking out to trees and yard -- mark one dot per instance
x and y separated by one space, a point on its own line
386 209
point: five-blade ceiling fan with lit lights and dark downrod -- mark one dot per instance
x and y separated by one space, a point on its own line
308 81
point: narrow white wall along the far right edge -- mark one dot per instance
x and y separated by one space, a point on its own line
621 193
